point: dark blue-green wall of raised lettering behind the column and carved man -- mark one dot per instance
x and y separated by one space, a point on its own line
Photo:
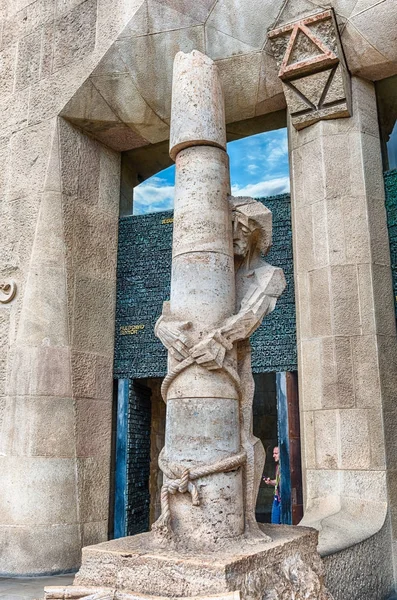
143 283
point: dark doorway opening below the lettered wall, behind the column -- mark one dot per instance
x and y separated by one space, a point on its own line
141 436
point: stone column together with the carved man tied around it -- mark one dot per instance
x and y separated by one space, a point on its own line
206 325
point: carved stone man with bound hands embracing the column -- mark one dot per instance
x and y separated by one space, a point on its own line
258 285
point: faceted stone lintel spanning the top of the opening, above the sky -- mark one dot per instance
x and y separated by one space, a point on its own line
234 35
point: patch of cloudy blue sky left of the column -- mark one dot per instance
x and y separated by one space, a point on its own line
153 195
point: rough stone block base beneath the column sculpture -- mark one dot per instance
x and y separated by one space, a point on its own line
285 568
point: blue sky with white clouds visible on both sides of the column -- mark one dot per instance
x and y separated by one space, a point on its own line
258 167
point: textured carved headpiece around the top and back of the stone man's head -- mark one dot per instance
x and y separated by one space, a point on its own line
255 216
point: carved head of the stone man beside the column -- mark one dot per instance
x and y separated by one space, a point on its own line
252 226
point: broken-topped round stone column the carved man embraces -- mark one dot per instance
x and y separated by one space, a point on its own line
202 425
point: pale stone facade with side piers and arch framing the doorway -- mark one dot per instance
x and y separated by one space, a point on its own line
105 68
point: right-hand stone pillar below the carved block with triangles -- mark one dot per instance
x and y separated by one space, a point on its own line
345 320
